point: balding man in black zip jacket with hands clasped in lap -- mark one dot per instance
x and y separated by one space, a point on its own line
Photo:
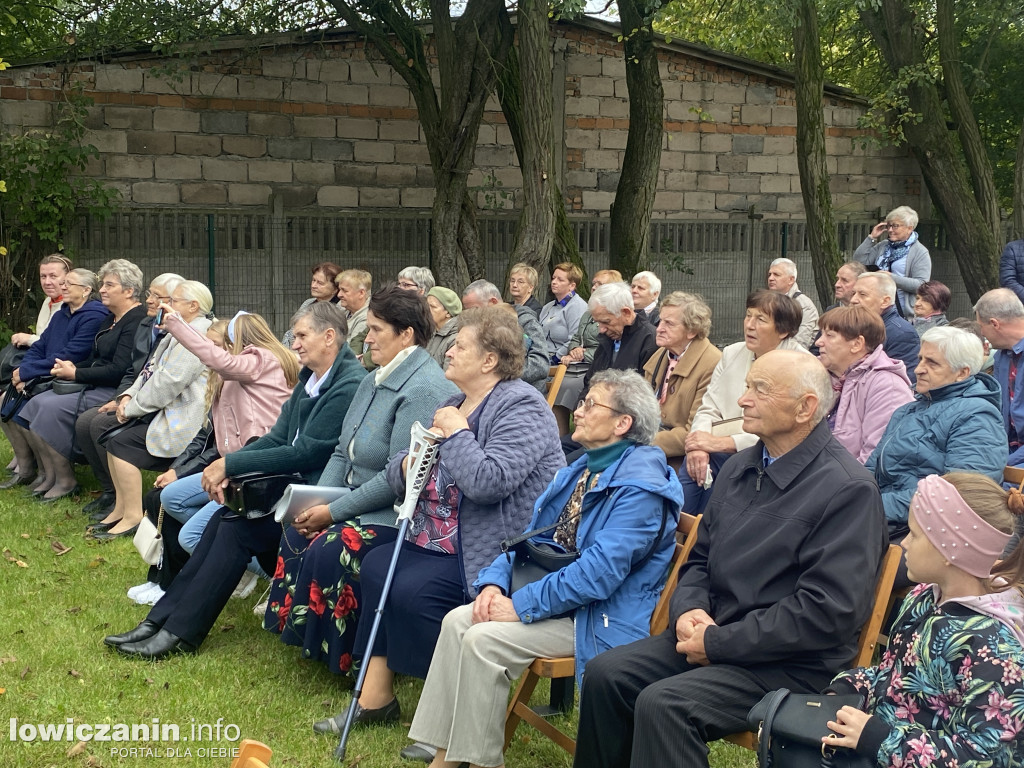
773 596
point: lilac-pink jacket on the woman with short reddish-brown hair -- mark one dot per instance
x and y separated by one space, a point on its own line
875 388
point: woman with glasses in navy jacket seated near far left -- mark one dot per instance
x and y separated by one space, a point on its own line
68 338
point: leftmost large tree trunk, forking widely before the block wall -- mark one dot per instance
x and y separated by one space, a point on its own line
467 52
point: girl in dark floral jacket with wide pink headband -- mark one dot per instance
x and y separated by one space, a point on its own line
949 693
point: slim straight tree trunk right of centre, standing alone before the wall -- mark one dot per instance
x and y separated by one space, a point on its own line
810 83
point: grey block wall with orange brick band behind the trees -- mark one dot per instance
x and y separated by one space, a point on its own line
330 127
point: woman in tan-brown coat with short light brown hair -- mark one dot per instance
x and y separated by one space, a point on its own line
680 371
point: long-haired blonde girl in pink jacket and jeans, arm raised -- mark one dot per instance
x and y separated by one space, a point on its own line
251 380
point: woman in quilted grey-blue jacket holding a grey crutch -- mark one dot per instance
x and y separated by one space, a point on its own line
499 452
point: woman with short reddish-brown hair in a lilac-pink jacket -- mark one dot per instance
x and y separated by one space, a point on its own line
869 386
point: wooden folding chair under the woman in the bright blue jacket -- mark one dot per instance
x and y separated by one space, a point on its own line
560 670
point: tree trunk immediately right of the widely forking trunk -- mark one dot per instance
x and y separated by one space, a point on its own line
533 136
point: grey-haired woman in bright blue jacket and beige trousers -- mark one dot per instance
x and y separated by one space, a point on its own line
618 507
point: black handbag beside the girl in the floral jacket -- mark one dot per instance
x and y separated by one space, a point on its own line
790 729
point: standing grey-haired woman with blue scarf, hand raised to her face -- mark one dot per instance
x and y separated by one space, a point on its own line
893 247
